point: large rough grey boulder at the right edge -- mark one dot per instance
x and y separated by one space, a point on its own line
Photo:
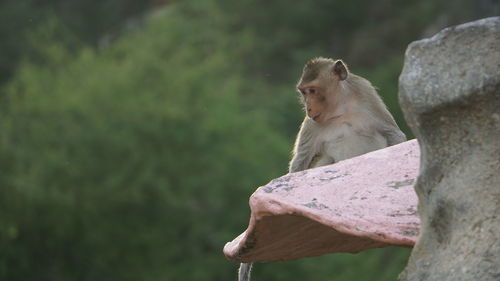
450 93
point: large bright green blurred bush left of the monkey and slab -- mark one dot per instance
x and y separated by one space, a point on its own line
120 165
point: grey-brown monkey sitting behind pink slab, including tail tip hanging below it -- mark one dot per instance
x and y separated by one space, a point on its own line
345 117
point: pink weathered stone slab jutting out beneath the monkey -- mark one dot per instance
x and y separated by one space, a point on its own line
356 204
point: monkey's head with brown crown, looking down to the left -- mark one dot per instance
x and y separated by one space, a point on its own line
319 86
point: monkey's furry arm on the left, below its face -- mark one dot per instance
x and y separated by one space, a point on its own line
303 151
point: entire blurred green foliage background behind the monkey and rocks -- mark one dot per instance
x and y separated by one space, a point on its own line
135 160
